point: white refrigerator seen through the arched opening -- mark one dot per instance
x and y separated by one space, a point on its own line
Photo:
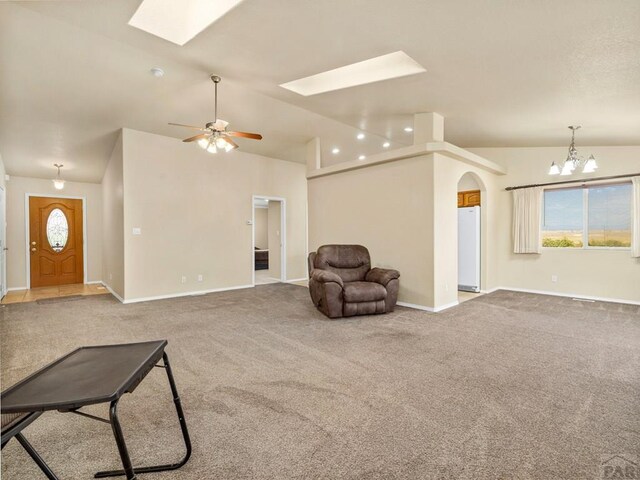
469 249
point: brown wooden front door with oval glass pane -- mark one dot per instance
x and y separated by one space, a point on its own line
55 243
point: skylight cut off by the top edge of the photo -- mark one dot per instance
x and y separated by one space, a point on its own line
179 21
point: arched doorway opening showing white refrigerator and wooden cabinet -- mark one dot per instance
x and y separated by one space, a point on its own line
469 237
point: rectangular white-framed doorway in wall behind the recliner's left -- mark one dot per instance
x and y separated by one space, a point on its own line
268 239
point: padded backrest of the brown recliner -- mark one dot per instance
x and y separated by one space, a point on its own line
350 262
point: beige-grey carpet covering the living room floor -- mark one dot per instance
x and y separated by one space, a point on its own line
505 386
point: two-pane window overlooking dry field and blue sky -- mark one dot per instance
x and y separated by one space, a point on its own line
587 217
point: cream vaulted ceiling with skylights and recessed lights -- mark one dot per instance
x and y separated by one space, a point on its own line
502 72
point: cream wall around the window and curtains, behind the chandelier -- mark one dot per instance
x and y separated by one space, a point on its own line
597 273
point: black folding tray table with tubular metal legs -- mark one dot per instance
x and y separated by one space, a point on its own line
91 375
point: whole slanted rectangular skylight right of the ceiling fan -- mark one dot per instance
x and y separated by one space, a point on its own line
393 65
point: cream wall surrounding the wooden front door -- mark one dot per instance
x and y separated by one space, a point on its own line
16 188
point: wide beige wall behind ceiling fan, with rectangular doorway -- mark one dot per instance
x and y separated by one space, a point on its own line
193 207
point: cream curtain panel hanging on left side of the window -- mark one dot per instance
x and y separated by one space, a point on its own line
527 216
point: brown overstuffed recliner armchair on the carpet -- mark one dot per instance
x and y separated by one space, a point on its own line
342 282
